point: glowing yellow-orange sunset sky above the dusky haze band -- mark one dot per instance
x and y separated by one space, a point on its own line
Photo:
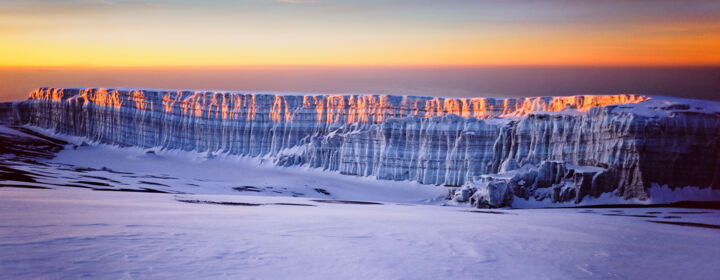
101 33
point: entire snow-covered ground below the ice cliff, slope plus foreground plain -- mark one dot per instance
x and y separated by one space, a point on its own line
229 217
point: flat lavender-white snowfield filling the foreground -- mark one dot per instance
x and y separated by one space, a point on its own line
76 233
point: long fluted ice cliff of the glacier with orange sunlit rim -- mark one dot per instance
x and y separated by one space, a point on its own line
488 151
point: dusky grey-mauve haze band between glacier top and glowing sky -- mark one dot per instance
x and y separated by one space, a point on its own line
692 82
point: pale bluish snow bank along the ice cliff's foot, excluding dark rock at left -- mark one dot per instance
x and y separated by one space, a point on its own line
195 173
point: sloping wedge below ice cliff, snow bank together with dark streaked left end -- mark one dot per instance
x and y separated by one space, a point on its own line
28 160
